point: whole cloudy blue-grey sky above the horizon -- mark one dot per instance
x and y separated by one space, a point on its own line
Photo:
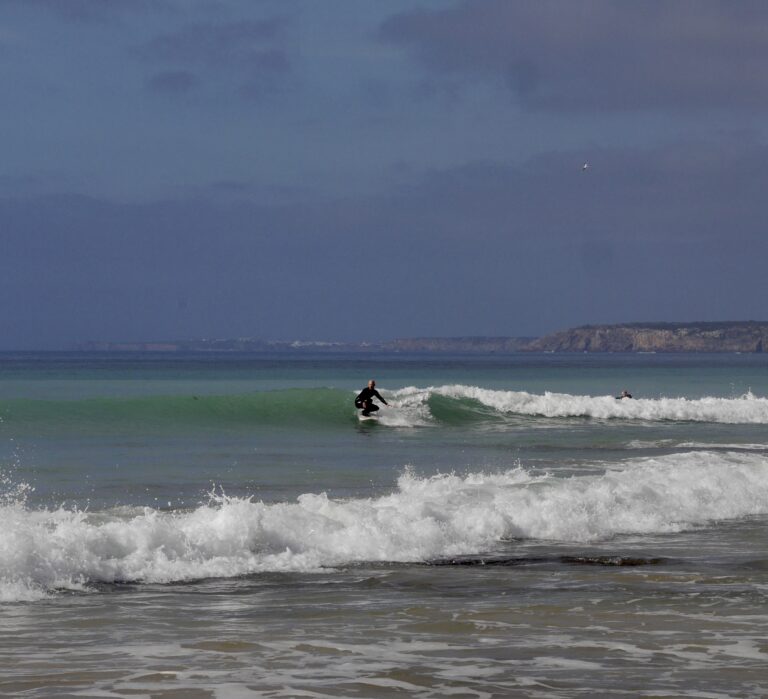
359 170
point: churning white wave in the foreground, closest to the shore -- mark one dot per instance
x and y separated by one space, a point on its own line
424 519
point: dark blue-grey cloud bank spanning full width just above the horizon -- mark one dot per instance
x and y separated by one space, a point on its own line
488 248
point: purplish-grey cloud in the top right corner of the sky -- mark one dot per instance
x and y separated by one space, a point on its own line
561 55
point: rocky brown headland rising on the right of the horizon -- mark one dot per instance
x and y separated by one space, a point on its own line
747 336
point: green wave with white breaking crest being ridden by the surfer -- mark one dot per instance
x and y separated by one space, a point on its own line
331 408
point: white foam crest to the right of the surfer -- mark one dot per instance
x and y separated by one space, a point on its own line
747 409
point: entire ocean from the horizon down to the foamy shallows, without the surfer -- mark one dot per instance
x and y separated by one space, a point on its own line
223 526
